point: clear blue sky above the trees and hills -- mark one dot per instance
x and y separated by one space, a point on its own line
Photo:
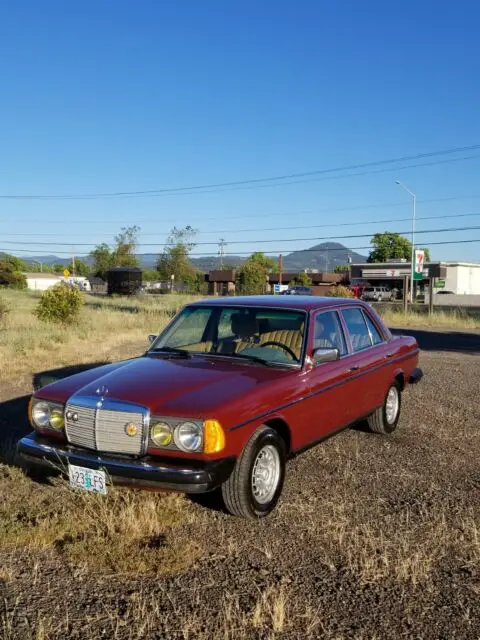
125 96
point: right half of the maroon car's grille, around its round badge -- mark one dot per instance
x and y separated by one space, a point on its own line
112 435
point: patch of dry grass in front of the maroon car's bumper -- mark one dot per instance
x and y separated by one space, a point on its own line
124 532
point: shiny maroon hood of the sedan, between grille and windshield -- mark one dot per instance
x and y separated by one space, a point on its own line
172 385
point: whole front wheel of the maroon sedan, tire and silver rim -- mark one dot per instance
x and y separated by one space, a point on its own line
254 487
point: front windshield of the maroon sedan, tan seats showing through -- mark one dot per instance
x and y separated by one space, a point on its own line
273 336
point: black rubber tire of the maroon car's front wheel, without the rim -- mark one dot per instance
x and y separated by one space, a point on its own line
237 491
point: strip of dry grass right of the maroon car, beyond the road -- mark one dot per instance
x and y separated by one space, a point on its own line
454 319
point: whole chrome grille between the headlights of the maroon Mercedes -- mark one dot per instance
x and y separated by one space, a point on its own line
104 428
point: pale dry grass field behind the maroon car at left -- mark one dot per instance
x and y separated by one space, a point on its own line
107 330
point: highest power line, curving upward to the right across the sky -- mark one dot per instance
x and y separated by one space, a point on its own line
251 181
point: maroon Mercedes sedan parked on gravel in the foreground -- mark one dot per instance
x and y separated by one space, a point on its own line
223 397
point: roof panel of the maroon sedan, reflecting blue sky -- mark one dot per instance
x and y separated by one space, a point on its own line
296 303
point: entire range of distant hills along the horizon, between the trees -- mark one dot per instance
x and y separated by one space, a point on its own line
324 257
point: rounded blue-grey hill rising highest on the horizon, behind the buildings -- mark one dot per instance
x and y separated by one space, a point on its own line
324 257
